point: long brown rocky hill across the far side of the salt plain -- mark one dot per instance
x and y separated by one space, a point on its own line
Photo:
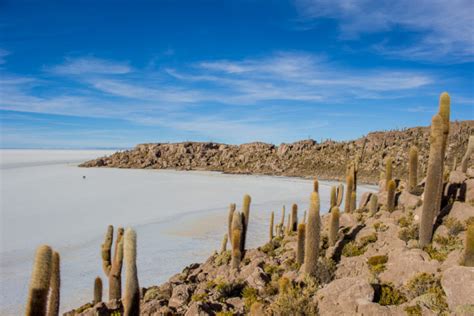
307 158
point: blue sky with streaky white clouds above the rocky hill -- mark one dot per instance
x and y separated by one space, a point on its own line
76 74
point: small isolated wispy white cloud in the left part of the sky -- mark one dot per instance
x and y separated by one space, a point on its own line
89 66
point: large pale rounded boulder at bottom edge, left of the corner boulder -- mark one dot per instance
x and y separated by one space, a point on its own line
343 296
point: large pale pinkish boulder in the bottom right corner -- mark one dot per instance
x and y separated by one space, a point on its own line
458 284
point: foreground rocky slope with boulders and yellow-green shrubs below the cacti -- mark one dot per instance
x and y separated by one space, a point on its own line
375 268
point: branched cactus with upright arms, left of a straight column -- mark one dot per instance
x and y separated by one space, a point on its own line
112 266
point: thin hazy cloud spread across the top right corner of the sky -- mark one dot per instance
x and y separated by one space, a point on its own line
442 29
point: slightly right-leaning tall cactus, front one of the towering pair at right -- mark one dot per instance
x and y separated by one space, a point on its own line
434 173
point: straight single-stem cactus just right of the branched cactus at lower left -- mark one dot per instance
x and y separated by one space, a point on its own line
131 297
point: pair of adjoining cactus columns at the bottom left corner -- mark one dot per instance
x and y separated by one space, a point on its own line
43 297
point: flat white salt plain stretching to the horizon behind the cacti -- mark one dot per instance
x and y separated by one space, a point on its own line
180 217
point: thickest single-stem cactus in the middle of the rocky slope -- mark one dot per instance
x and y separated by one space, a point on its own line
313 227
